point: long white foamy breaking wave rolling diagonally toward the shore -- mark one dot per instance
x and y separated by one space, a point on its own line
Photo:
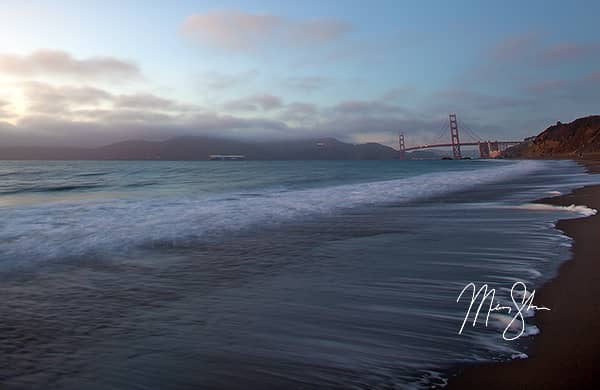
74 229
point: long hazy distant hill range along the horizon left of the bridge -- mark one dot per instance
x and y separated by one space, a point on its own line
199 148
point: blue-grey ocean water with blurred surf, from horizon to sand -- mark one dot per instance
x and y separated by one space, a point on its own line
189 275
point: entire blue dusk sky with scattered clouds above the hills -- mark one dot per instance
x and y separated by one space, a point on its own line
89 73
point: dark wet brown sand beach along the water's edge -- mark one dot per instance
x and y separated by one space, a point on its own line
566 354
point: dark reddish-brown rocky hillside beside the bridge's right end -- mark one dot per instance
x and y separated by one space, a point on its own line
580 137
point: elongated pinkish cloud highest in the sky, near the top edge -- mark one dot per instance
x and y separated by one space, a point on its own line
238 30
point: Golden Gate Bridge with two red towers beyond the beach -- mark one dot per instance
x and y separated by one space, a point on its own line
487 149
